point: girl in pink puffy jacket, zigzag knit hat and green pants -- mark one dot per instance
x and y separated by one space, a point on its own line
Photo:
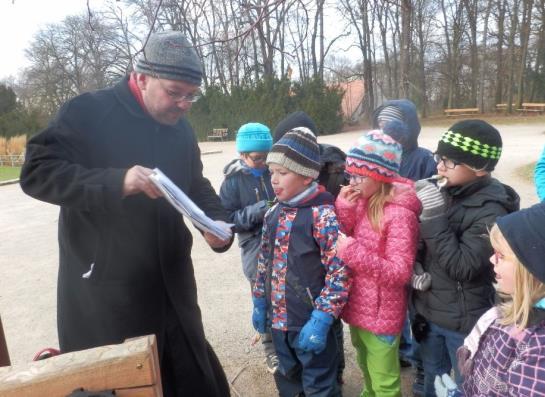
378 212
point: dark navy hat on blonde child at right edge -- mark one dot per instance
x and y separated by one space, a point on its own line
525 233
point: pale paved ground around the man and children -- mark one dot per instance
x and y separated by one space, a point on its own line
29 256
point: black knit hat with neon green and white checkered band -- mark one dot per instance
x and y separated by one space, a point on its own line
472 142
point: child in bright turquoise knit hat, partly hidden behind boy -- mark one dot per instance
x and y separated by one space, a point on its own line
245 194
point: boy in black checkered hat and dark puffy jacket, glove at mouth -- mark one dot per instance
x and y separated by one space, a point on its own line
454 252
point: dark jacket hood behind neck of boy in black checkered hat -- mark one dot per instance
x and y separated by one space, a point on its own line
487 189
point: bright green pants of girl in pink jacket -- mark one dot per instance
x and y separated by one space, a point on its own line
379 362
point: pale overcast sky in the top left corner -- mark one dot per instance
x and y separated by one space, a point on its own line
21 19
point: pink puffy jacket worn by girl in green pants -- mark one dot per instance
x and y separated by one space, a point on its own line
381 263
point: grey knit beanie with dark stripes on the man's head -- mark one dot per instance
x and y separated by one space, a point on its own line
169 55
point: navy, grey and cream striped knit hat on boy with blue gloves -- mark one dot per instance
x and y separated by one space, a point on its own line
297 151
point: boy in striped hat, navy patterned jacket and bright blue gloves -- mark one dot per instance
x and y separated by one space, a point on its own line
301 283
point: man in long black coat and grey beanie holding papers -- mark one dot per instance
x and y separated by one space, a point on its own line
125 265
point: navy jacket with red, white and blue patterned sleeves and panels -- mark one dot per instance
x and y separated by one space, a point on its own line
298 269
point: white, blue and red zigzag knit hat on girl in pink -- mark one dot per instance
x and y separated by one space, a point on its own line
376 155
